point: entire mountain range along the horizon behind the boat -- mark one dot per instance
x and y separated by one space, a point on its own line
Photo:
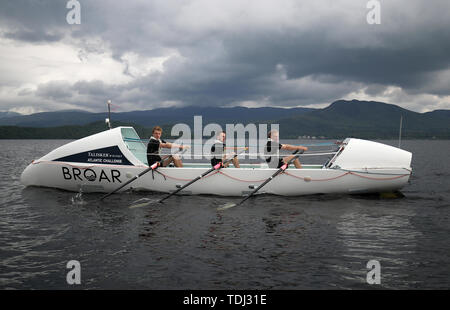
341 119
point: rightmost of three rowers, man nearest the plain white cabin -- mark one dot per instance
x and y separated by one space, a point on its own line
273 146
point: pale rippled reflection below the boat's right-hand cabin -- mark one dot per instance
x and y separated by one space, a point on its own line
389 238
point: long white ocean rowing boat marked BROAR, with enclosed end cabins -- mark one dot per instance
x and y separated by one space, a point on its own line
104 161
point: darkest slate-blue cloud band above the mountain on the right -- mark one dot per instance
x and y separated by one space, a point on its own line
404 64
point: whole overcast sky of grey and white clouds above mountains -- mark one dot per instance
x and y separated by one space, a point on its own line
144 54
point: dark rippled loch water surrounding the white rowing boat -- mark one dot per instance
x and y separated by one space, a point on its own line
271 242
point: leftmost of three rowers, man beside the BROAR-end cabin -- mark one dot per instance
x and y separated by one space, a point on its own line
154 147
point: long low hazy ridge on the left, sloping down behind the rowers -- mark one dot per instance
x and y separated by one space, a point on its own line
150 118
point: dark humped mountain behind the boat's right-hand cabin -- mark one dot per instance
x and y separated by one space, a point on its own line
367 119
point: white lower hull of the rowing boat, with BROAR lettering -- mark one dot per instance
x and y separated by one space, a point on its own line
226 182
